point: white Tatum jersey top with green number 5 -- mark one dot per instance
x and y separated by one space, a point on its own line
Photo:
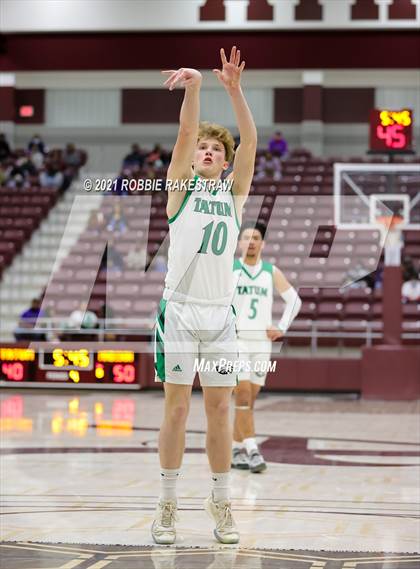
253 300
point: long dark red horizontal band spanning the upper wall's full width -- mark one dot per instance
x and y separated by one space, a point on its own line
261 50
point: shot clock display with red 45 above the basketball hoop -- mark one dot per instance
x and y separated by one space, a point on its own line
391 131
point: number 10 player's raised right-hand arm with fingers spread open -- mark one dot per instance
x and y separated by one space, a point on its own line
244 162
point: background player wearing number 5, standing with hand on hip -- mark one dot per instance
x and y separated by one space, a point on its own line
253 301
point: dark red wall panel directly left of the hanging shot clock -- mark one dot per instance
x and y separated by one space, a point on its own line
347 105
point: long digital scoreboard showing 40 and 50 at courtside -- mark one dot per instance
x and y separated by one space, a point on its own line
71 366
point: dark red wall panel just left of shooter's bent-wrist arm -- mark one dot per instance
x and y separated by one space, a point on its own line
151 105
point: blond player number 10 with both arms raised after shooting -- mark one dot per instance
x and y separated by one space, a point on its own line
195 322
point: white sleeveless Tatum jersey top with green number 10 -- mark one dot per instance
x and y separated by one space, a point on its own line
203 237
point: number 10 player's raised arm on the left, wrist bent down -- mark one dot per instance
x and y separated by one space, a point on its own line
180 167
